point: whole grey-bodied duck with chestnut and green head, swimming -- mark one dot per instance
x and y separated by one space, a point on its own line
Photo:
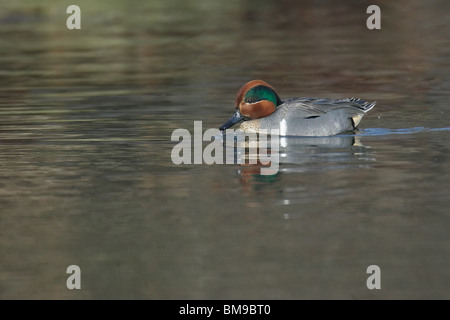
260 109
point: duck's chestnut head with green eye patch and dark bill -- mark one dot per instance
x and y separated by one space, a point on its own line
256 99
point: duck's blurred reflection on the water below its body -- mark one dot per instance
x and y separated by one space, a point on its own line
292 155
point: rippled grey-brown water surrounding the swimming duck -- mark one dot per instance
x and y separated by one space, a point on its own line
87 179
